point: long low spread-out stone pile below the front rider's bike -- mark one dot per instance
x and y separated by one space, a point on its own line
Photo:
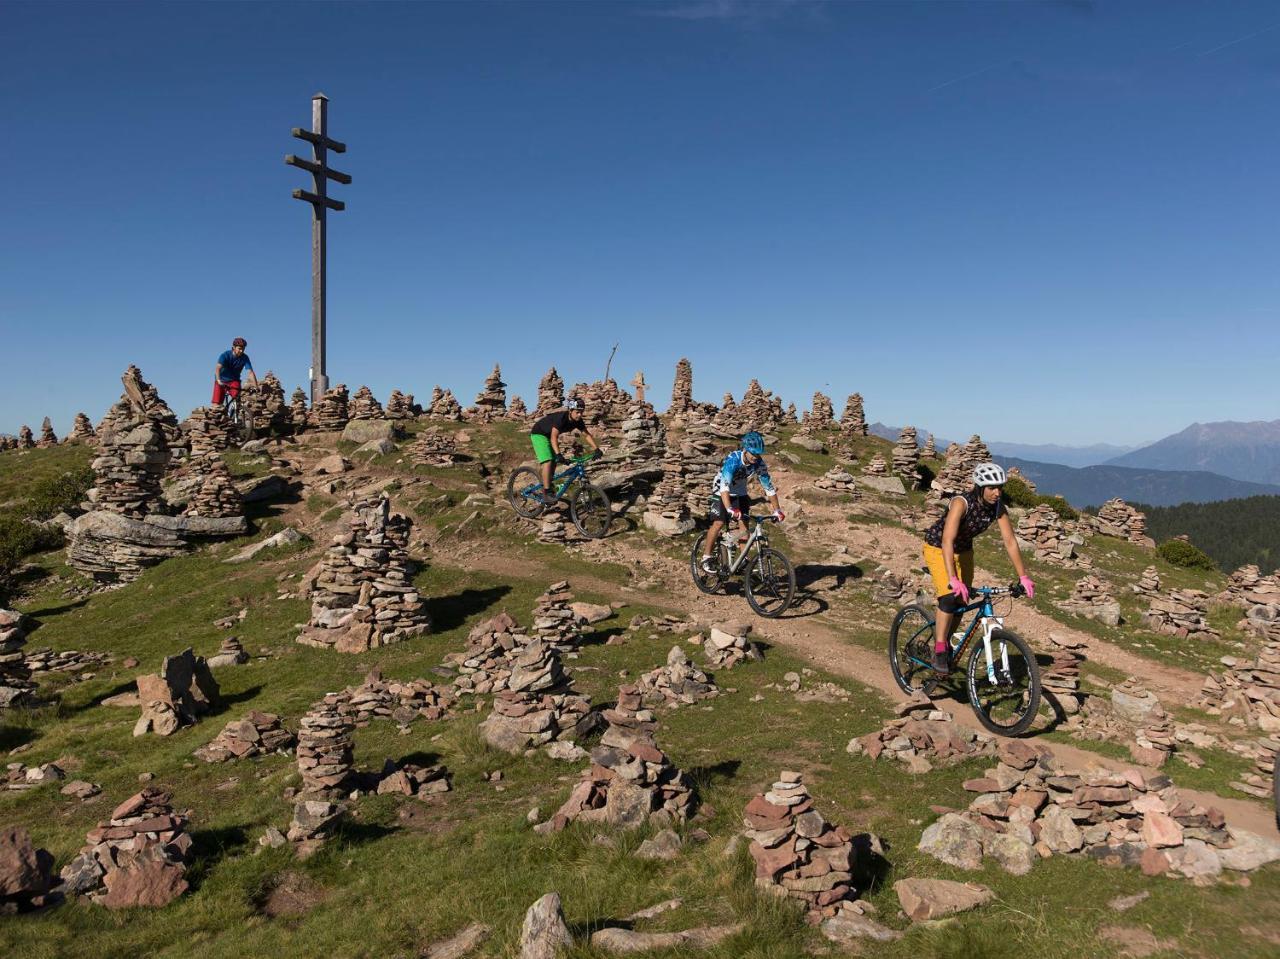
1032 807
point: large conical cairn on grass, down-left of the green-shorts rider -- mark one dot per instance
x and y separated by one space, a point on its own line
363 595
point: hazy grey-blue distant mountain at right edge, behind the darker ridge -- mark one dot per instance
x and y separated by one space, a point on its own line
1244 451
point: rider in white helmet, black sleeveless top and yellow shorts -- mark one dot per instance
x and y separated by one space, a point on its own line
949 551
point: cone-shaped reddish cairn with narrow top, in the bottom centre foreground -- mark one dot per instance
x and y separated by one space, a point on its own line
630 782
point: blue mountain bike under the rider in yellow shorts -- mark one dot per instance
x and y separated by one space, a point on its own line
1003 678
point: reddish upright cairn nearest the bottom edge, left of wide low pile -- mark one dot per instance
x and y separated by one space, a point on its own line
798 853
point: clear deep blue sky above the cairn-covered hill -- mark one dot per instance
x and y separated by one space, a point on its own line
1039 222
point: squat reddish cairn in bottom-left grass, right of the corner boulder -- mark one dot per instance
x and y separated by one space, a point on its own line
139 858
